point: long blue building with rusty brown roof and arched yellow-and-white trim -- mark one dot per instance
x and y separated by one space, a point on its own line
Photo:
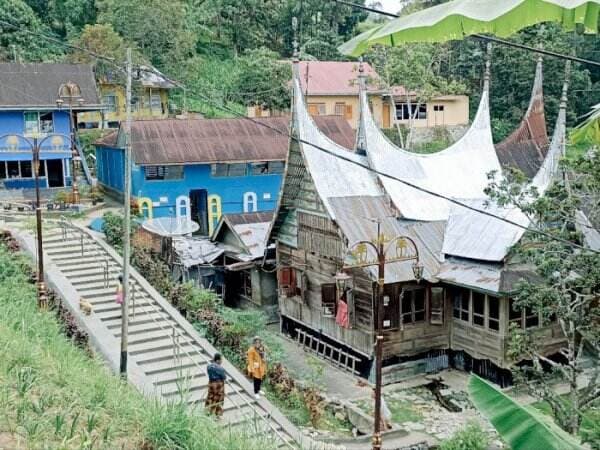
203 168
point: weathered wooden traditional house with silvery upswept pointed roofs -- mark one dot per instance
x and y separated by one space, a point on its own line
459 314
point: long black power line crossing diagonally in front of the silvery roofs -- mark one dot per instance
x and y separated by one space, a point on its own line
229 110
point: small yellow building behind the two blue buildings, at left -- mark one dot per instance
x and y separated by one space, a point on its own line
149 100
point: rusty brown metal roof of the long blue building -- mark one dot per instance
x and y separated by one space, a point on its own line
196 141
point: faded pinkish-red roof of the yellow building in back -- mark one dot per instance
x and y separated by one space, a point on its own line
334 77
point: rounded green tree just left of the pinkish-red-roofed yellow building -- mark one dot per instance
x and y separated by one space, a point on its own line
264 80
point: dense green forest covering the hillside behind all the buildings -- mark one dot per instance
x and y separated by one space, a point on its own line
230 52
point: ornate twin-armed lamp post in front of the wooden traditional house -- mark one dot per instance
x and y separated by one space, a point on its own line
367 254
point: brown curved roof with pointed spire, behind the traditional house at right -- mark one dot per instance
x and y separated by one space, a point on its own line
526 147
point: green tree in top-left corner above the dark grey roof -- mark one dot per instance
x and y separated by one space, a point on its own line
15 39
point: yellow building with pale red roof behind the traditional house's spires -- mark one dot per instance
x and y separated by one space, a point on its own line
331 88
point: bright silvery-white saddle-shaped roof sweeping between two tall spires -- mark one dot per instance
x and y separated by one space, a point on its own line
460 171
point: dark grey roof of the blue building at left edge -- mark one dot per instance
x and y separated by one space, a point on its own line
37 84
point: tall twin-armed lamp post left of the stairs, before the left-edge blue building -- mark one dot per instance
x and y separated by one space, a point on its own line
35 145
